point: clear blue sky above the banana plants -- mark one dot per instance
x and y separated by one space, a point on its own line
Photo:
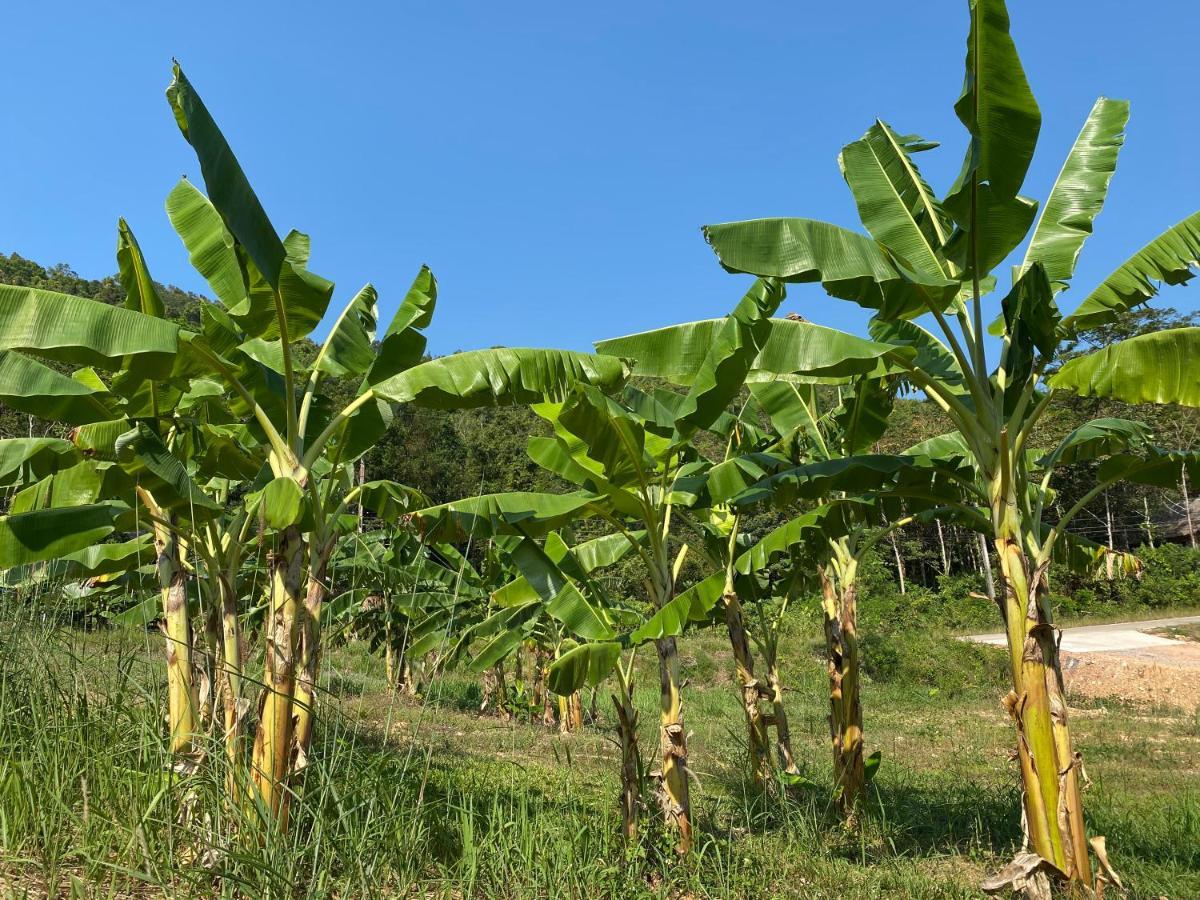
553 163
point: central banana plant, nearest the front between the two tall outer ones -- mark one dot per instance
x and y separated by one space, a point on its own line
635 470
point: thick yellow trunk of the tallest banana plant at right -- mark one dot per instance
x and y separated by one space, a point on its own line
1054 811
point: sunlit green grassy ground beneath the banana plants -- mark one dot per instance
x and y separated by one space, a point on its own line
409 797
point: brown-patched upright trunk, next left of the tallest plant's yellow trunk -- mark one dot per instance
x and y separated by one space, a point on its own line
839 604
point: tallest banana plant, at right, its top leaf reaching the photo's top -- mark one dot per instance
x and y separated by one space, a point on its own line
928 256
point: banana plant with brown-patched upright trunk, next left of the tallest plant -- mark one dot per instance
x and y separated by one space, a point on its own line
814 455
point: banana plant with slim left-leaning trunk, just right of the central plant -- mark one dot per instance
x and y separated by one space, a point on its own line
753 452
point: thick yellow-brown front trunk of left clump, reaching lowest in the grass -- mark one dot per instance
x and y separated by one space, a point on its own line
274 740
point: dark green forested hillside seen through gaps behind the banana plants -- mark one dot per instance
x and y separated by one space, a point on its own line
461 454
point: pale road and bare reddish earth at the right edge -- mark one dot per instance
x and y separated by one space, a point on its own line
1124 662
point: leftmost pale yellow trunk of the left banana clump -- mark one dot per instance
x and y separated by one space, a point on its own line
177 627
